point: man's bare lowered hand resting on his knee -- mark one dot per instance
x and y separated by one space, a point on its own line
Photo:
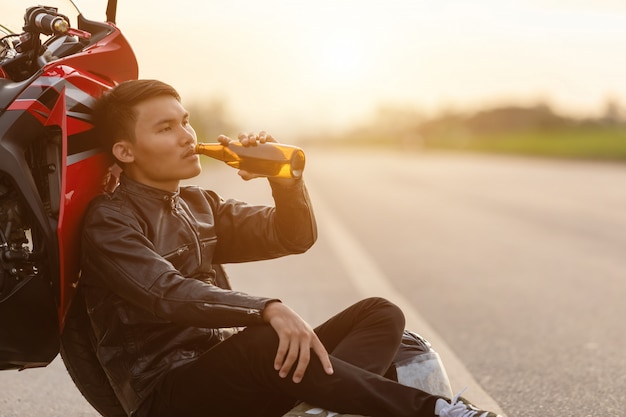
296 340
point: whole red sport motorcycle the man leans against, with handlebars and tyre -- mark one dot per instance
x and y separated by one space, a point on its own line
51 166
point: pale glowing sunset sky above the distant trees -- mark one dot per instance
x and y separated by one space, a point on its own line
293 65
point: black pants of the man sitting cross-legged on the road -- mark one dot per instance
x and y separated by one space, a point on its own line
237 378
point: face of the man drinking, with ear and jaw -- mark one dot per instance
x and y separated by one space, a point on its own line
162 153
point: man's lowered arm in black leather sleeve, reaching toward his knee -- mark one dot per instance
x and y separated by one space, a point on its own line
117 255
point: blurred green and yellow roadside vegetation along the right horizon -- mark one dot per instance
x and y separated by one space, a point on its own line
534 130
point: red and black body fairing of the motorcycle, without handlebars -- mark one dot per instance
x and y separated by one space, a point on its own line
51 168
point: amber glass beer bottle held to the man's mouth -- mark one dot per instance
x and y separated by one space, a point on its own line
269 159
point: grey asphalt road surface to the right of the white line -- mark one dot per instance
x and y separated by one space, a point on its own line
518 264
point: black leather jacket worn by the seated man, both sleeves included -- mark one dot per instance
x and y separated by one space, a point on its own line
153 286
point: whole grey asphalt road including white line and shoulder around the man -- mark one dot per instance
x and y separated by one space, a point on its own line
514 266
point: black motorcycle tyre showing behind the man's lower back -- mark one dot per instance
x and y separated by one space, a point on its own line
79 357
